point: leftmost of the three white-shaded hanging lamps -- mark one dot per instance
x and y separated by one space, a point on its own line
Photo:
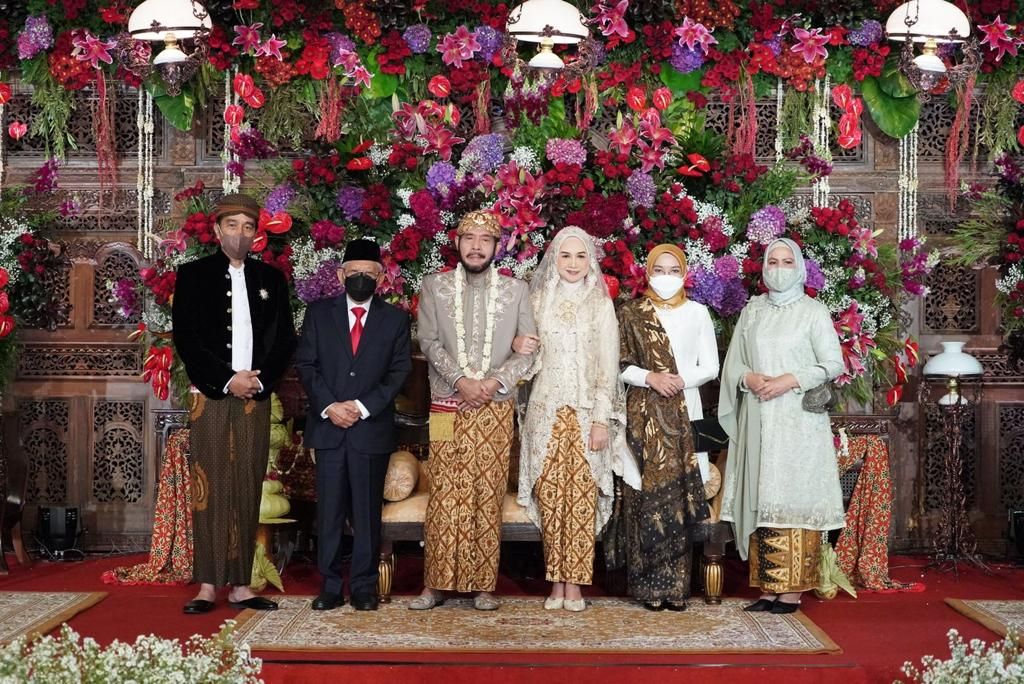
176 23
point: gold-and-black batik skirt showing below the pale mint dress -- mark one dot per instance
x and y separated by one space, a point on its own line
785 561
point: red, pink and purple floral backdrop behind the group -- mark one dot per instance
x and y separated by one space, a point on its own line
390 120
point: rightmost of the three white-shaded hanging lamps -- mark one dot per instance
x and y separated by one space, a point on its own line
932 24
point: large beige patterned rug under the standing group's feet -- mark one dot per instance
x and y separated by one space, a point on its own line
609 625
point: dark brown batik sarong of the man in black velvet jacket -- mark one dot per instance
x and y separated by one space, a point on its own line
231 442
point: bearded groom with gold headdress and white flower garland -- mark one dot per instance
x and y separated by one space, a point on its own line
467 321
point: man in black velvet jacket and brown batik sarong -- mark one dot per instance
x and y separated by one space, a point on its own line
234 330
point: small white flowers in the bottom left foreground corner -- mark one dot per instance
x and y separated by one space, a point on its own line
69 658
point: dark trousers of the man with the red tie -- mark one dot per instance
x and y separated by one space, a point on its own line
350 487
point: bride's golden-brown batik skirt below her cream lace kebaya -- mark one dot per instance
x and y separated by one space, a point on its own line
567 497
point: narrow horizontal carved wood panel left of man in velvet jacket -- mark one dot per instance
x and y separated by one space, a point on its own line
48 360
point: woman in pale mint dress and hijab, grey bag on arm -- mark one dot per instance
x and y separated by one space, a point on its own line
782 481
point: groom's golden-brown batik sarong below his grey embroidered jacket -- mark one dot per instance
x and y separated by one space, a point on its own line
468 480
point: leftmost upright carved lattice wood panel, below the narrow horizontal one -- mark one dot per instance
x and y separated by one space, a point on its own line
45 429
